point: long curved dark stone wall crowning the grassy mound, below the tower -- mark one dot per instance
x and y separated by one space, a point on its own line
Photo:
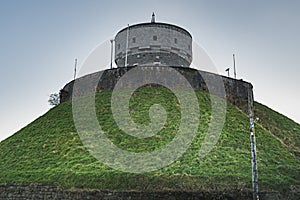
236 91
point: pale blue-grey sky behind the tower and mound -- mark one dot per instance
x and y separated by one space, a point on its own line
40 39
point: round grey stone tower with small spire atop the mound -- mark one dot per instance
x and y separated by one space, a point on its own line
149 44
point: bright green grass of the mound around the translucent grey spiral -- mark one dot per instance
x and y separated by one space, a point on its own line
49 150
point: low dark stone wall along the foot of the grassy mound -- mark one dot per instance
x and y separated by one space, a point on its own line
42 191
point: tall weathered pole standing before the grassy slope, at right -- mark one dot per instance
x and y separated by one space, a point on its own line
253 146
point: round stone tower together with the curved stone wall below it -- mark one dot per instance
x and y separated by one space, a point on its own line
153 46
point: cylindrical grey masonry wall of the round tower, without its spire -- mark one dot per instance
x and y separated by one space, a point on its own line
169 38
